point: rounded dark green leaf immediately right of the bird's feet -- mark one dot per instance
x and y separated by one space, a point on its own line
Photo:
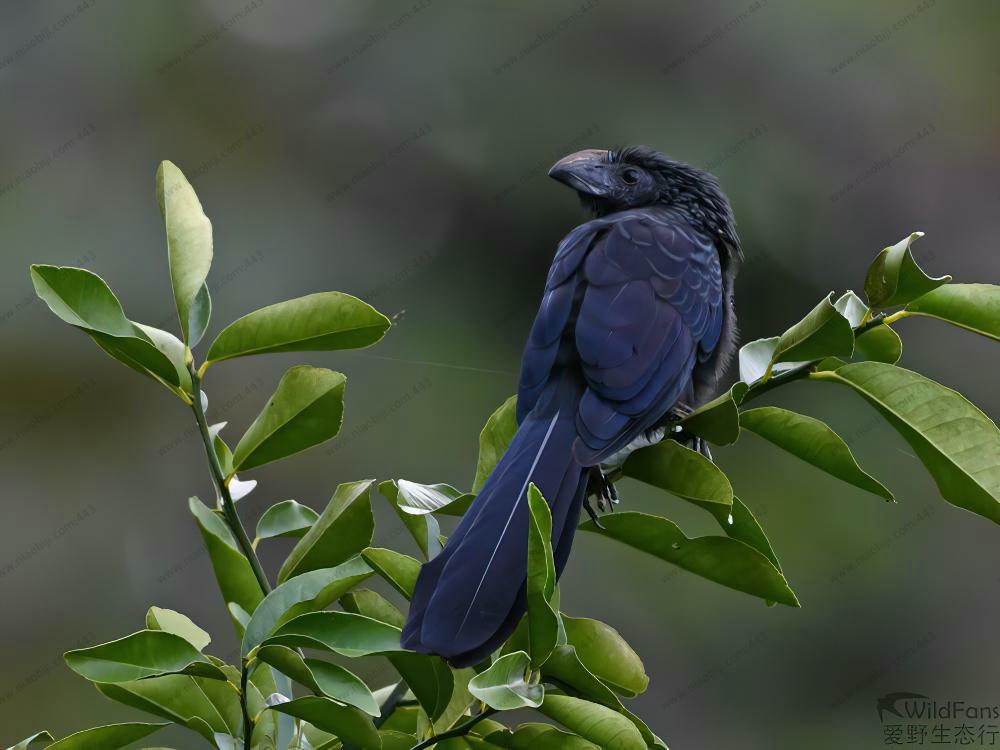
680 471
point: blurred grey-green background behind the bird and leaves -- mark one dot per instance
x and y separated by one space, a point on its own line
398 151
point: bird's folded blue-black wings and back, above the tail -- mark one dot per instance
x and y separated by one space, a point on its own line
643 297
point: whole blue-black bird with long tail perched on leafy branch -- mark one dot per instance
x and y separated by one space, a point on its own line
635 328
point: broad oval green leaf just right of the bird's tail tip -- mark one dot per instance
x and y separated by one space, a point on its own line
607 655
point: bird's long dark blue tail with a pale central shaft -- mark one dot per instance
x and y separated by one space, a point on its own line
469 599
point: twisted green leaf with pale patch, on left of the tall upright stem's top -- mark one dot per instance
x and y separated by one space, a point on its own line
84 300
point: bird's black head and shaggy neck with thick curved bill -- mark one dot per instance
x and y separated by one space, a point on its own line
638 177
